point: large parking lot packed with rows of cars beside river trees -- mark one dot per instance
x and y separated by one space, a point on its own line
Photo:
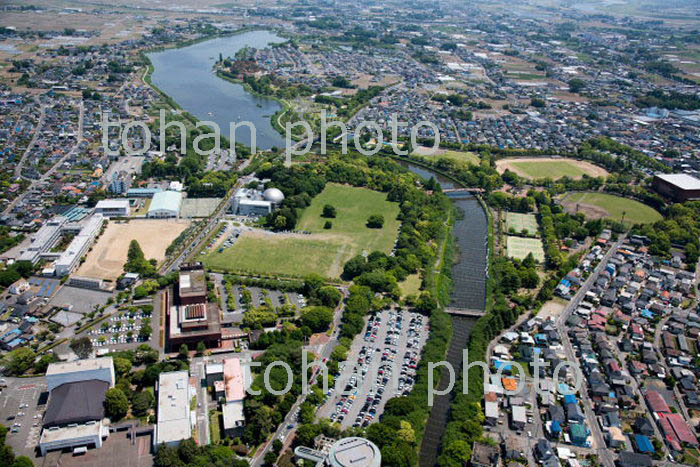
381 364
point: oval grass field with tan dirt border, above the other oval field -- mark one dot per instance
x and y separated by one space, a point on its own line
541 167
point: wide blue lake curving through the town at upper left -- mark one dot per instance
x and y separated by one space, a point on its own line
186 75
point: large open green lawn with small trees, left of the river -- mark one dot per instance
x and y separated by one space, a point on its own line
323 252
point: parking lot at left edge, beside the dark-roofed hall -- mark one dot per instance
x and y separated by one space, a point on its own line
21 410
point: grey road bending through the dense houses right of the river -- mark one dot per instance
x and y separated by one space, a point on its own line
605 455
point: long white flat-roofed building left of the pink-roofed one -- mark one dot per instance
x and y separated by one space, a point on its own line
174 419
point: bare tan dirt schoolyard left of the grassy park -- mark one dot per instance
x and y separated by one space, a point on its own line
108 255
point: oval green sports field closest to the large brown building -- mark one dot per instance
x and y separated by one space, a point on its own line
599 205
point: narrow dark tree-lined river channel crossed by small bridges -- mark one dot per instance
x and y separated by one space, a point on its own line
469 291
